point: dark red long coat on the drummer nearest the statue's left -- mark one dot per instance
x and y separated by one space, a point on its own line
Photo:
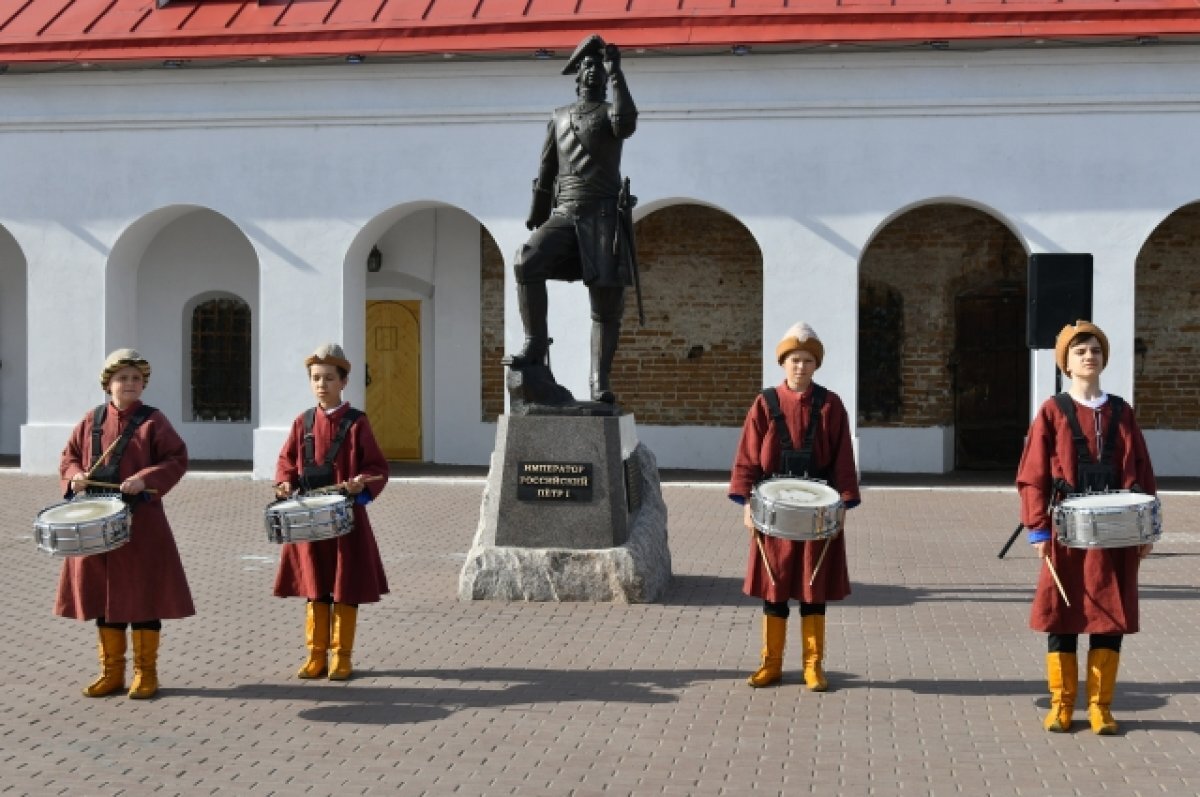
347 567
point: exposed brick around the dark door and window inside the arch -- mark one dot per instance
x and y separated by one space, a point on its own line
931 255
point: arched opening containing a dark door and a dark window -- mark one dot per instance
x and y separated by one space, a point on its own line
943 329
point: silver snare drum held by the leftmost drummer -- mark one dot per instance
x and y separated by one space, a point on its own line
83 526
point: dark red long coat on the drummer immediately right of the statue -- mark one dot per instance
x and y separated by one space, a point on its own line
758 458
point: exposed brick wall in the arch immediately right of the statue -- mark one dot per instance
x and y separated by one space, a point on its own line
699 361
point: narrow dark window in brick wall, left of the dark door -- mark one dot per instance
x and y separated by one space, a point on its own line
880 338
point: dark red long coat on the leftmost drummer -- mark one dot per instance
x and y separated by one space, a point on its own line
143 580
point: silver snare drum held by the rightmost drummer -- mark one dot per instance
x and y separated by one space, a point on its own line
1108 520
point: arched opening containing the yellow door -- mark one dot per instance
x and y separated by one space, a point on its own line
434 289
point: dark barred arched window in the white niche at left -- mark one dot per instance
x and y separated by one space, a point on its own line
221 361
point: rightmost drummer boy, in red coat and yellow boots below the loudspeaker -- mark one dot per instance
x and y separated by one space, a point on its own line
1100 585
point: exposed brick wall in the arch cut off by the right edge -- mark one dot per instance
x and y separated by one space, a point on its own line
1167 381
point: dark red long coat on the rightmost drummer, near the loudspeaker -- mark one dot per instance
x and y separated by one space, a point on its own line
1102 584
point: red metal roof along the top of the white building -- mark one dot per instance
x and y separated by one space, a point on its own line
137 31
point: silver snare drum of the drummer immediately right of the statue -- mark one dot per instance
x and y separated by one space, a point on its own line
797 510
